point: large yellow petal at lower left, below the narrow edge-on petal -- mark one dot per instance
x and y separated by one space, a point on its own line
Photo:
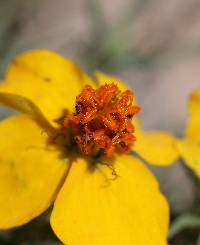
31 172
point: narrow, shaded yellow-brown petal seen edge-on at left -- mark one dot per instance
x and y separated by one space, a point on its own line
26 106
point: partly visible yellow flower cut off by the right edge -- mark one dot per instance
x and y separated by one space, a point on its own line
189 146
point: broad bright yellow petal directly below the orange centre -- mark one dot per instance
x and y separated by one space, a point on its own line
94 208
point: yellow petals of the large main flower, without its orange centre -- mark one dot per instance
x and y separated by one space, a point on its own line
90 207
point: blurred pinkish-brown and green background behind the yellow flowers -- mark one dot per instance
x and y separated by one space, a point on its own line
153 45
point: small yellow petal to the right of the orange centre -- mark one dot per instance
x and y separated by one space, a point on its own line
156 147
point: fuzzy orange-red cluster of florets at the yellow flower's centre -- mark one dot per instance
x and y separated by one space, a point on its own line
102 120
